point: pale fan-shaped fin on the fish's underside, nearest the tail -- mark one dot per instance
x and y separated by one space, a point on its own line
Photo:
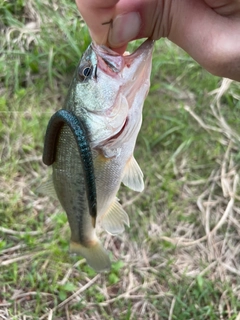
114 219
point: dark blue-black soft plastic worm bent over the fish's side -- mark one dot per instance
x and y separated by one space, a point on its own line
56 122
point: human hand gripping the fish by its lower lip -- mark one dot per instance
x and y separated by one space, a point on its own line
209 30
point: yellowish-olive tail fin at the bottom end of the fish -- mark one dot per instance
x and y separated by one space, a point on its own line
96 256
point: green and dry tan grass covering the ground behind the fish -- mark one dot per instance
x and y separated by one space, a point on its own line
180 257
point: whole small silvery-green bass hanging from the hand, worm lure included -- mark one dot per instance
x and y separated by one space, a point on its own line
105 99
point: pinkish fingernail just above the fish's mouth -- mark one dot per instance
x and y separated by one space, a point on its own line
125 28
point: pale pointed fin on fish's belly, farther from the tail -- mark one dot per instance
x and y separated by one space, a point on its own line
133 176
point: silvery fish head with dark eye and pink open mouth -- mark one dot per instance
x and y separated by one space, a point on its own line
106 86
